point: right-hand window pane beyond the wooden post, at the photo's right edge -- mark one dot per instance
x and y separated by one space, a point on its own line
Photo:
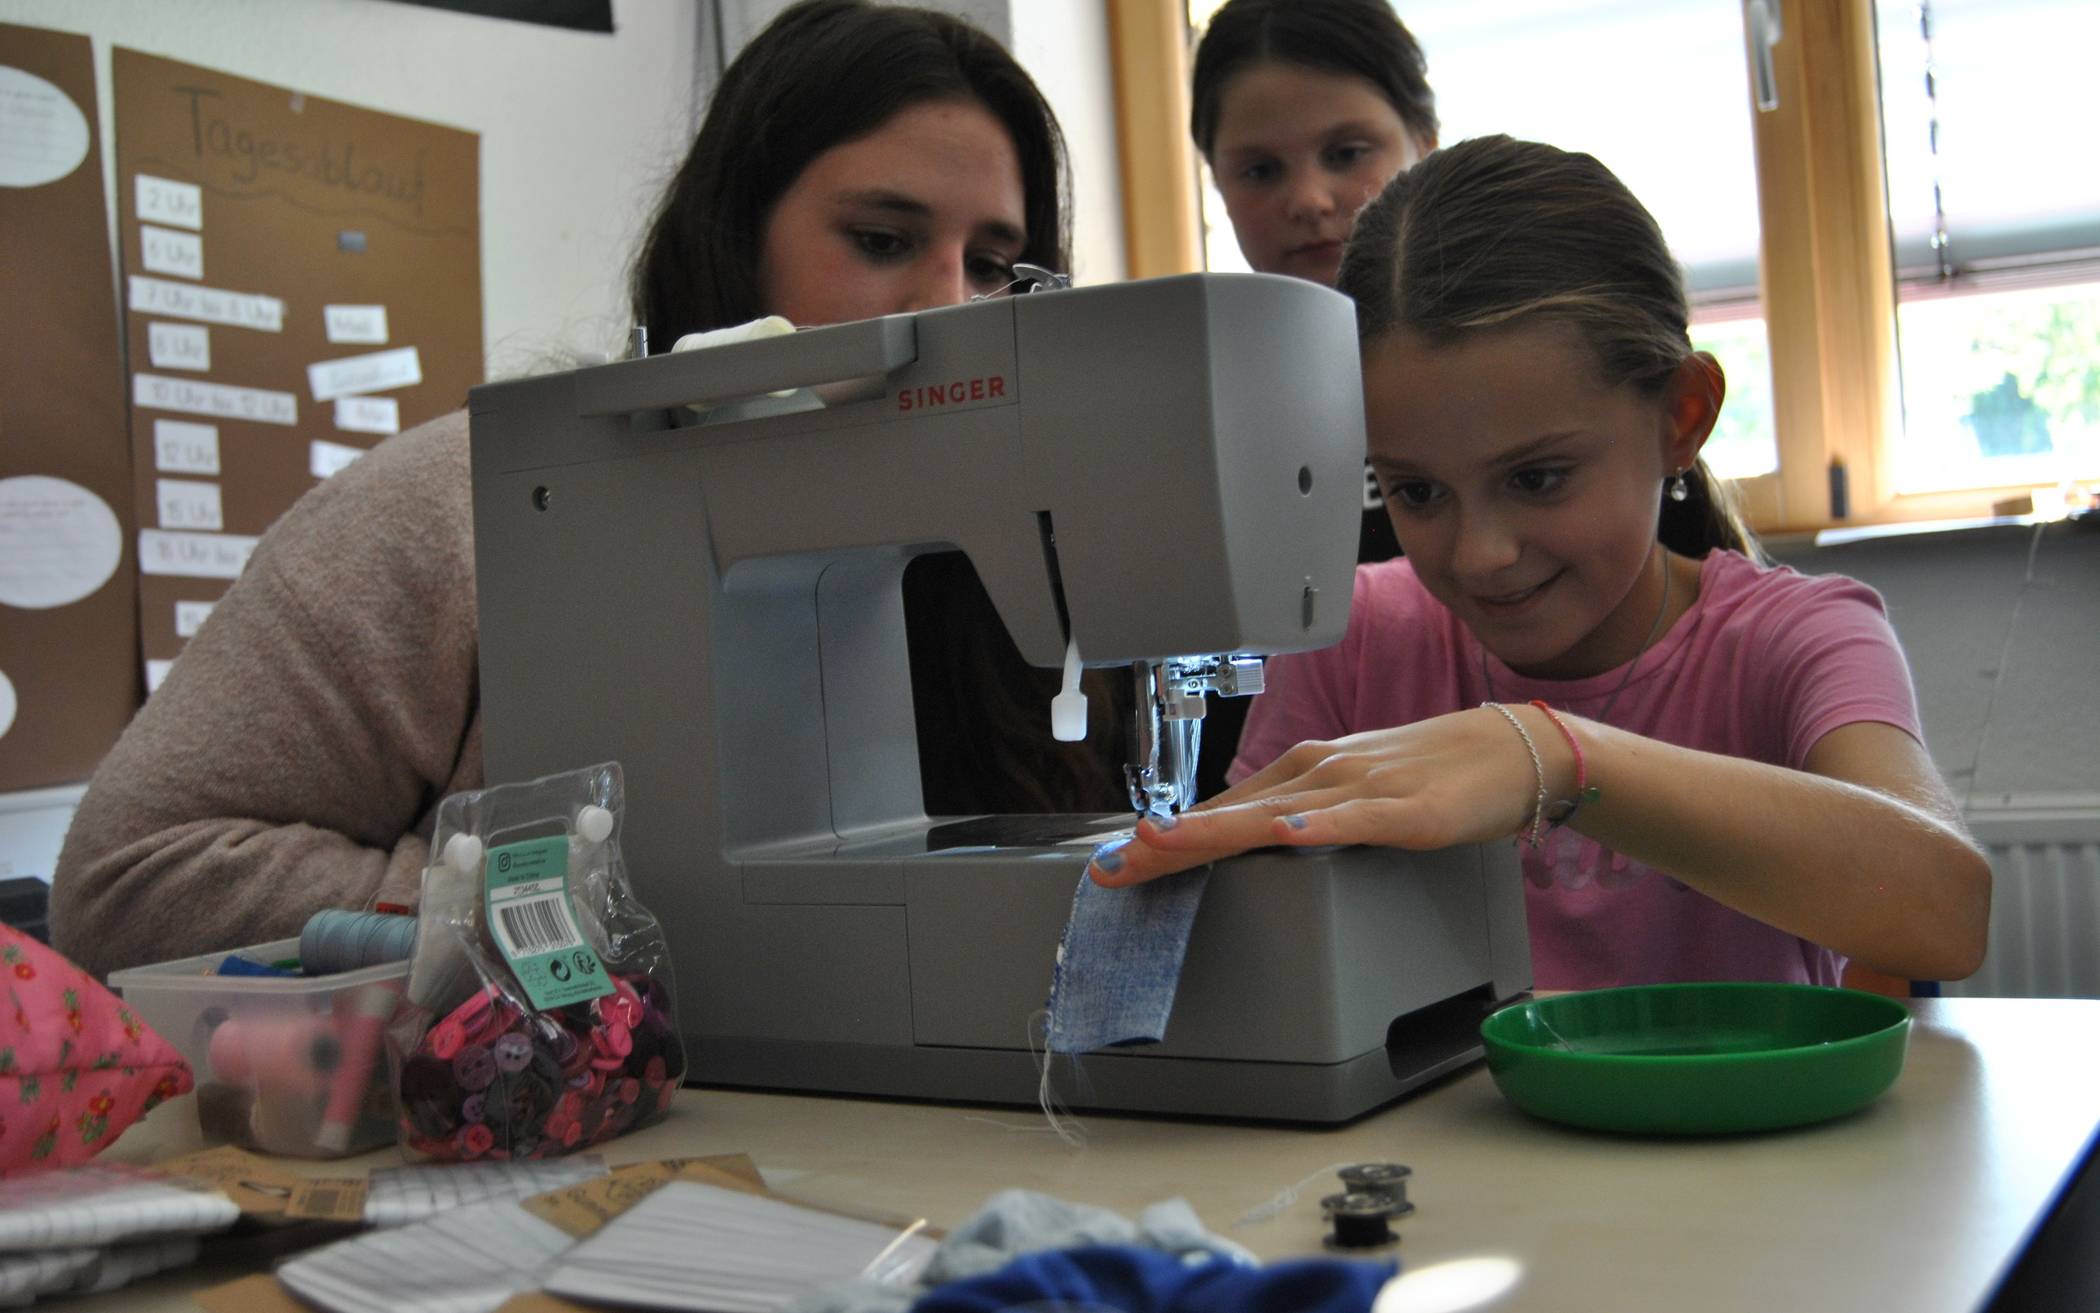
1996 241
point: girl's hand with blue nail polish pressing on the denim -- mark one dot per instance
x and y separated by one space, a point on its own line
1461 778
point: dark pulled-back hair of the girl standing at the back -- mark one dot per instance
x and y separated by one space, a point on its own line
1362 39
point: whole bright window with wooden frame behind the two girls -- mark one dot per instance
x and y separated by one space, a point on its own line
1899 274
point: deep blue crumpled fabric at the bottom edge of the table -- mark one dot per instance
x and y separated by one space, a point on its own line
1133 1280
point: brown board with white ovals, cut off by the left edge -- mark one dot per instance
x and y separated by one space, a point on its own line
68 602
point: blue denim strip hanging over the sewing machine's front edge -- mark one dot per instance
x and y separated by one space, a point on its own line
1120 963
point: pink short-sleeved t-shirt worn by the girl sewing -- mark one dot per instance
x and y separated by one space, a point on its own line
1763 667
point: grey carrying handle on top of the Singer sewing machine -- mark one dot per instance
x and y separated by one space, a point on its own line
715 375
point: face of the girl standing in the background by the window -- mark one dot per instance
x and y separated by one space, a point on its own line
1299 152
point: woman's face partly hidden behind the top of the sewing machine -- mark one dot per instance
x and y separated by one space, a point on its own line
925 211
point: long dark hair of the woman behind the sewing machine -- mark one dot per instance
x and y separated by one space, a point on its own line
820 75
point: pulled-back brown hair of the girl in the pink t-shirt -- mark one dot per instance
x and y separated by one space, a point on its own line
1494 230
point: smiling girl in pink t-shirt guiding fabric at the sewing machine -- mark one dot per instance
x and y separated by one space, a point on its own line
1713 766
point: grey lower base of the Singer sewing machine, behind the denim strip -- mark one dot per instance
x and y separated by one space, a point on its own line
1318 984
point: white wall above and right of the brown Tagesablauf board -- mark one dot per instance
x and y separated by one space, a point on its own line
579 129
